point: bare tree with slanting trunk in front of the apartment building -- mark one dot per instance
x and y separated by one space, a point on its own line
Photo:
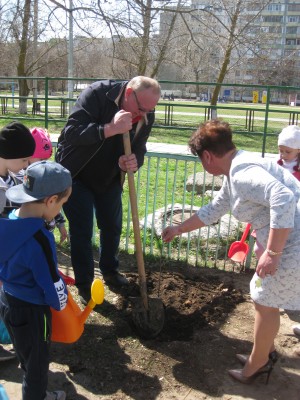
220 37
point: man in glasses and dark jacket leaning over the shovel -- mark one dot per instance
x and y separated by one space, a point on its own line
91 147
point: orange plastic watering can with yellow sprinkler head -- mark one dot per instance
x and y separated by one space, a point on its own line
68 324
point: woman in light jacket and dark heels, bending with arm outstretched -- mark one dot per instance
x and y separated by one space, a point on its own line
260 192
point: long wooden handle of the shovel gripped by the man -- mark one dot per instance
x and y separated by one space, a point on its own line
136 225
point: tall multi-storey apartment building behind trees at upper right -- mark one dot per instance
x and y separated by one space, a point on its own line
266 50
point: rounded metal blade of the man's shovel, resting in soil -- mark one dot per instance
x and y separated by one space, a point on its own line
148 323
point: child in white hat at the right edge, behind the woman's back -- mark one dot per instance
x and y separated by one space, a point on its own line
289 150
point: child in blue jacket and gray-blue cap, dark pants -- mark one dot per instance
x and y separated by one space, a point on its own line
28 270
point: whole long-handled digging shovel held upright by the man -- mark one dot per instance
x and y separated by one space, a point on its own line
148 314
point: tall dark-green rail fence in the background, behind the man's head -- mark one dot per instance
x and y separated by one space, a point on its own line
258 110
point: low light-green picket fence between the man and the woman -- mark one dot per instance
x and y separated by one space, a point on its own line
168 192
